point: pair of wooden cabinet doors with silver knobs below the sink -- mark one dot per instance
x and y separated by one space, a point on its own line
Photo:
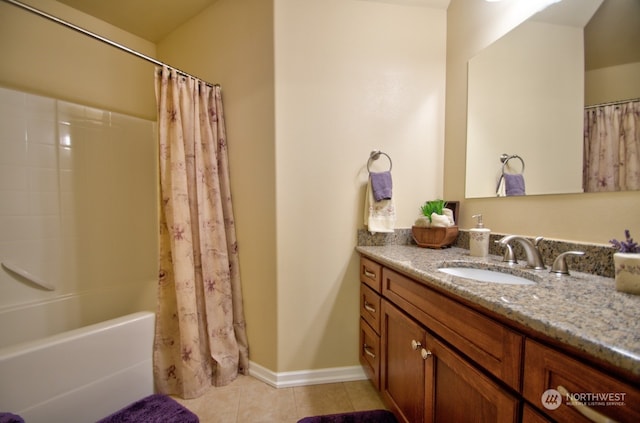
423 380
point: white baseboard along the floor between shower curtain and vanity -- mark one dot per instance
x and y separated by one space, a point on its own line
306 377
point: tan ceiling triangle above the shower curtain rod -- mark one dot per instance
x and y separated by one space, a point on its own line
148 19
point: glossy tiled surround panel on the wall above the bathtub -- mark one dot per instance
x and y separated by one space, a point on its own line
70 177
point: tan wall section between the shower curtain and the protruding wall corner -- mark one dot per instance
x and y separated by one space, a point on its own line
231 43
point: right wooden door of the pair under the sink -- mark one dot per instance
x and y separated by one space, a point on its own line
458 392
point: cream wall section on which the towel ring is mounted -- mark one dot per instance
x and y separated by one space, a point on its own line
351 76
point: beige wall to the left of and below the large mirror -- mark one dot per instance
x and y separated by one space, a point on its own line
472 25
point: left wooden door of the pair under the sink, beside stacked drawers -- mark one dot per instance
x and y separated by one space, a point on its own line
402 366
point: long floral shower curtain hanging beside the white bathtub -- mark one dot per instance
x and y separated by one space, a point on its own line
200 337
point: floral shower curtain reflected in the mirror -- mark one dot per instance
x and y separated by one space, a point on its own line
612 147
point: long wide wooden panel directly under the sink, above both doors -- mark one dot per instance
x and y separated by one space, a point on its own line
493 346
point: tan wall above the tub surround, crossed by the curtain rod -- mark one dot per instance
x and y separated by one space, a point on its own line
42 57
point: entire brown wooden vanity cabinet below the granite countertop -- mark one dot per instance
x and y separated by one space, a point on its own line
436 358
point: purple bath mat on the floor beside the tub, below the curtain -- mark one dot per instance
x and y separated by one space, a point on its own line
153 409
